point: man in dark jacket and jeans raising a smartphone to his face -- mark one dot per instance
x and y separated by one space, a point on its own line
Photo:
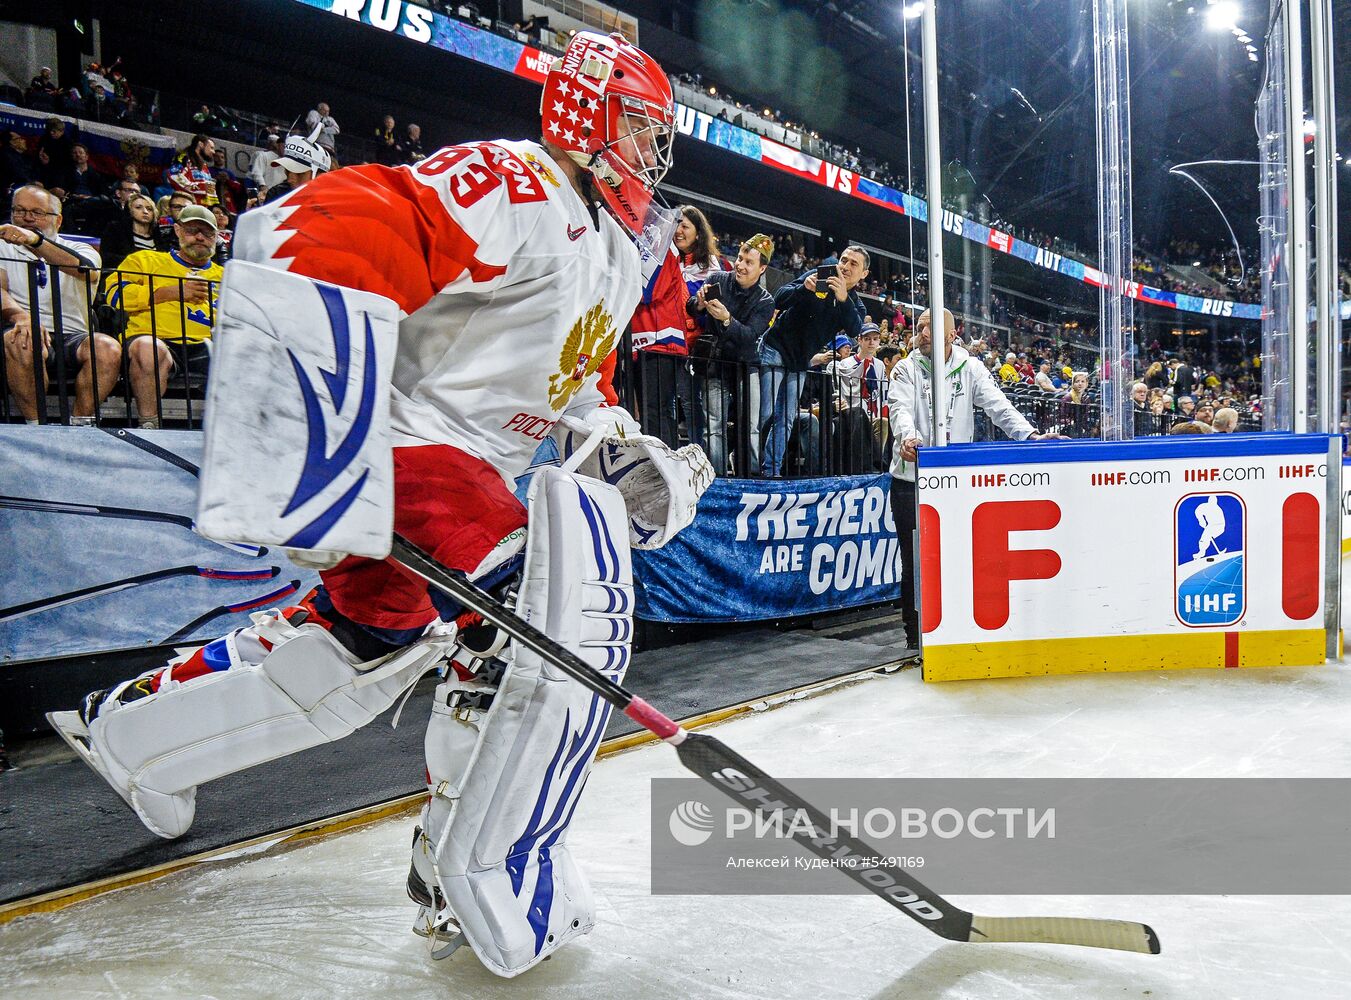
811 311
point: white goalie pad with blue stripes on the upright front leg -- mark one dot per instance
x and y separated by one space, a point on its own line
495 832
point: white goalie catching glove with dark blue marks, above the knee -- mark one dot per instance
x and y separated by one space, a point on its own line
661 486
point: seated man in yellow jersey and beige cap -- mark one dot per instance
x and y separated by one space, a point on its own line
171 305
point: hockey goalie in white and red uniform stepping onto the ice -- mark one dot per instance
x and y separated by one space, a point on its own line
392 348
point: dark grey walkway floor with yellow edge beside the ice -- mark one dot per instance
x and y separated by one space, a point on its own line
70 839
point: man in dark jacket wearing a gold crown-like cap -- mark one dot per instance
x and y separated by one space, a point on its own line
734 311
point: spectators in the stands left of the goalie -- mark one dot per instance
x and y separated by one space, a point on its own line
164 236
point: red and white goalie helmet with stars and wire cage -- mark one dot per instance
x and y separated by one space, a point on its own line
610 106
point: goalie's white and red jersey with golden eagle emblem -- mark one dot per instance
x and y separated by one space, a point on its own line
511 293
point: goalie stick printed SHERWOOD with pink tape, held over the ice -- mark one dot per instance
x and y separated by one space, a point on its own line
748 784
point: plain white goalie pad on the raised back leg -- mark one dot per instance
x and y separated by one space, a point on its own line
307 691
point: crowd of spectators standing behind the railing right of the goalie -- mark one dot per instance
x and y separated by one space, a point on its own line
814 410
